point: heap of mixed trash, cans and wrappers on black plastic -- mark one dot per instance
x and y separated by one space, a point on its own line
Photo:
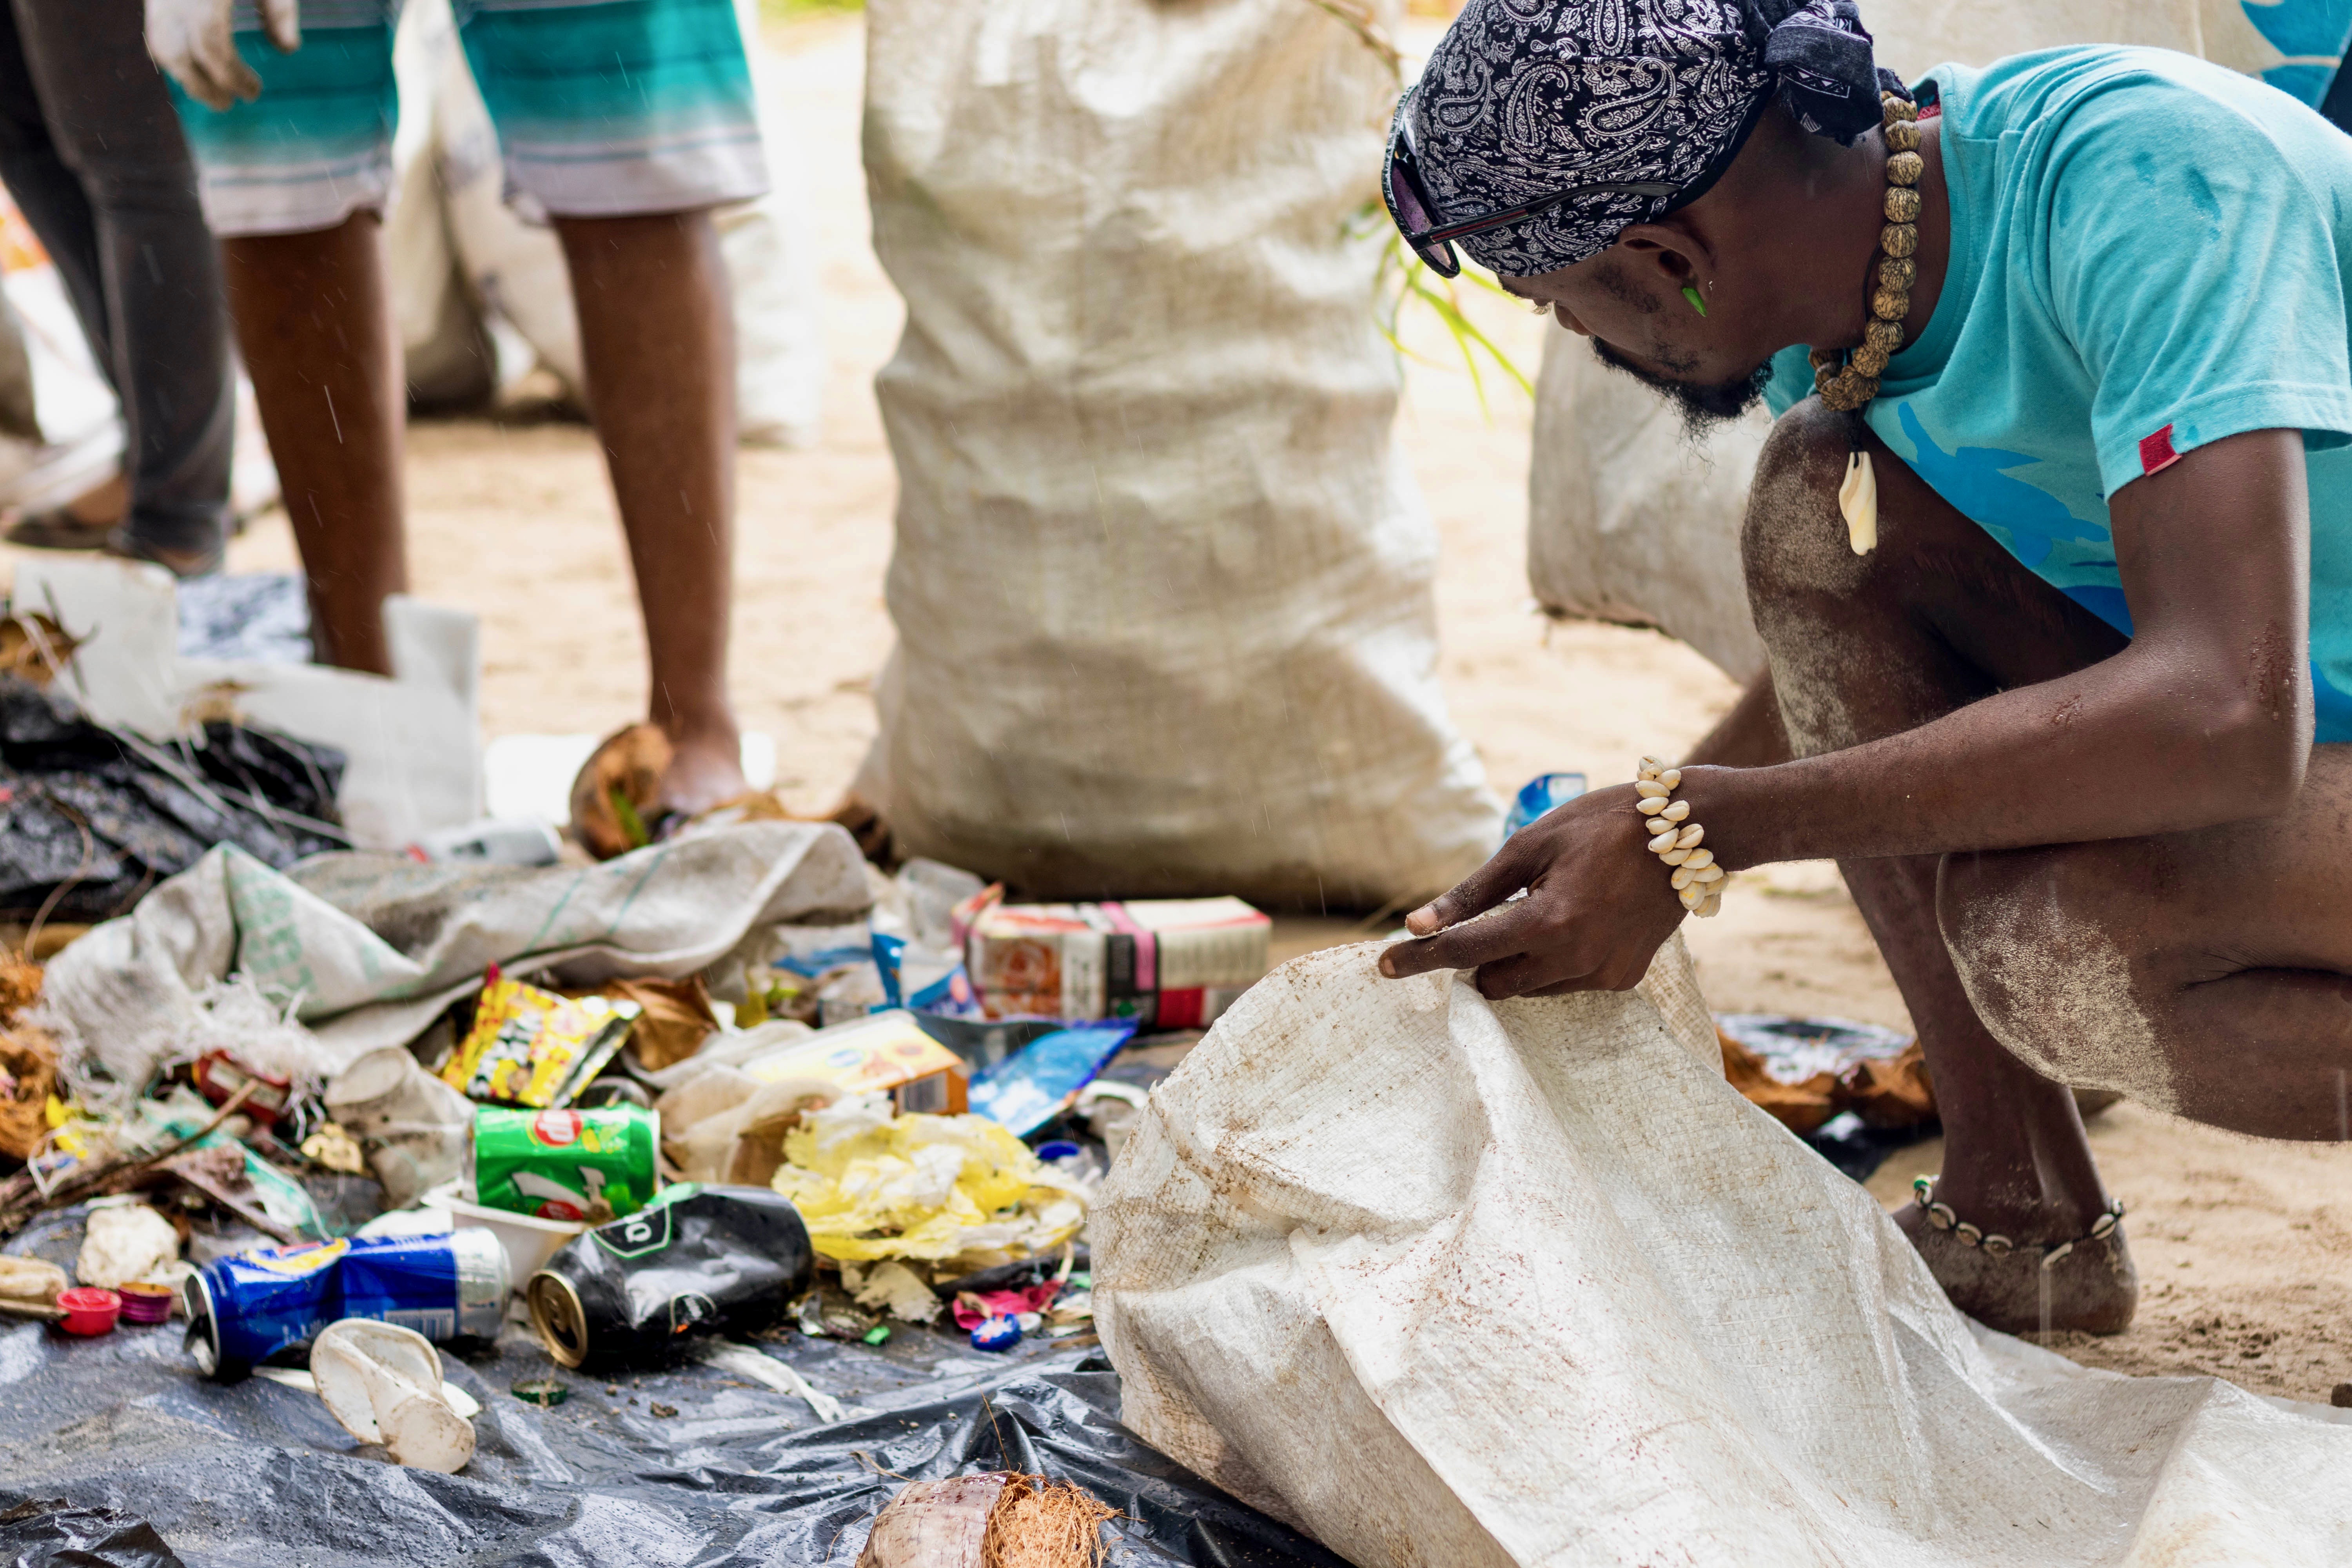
871 1132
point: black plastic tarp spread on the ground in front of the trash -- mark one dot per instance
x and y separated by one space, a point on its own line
733 1473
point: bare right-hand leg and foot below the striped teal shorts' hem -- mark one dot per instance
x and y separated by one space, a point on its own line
657 340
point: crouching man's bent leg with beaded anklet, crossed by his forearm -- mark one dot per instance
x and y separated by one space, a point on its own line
1864 648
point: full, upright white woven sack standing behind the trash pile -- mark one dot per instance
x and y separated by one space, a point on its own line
1163 579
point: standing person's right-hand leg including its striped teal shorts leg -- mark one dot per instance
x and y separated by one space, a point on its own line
629 121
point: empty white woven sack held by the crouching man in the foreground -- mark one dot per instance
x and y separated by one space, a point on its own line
1462 1282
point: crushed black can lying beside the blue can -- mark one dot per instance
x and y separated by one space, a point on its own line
695 1261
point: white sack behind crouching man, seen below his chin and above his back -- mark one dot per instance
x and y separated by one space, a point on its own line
1636 523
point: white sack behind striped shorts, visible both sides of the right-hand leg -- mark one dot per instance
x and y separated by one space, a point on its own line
467 264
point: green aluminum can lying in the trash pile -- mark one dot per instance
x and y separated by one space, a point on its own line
566 1165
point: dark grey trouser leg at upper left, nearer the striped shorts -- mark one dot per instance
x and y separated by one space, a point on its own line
161 288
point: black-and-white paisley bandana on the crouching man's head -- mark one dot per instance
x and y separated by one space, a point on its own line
1528 98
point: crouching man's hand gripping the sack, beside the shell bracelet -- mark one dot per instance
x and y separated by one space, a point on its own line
1593 916
